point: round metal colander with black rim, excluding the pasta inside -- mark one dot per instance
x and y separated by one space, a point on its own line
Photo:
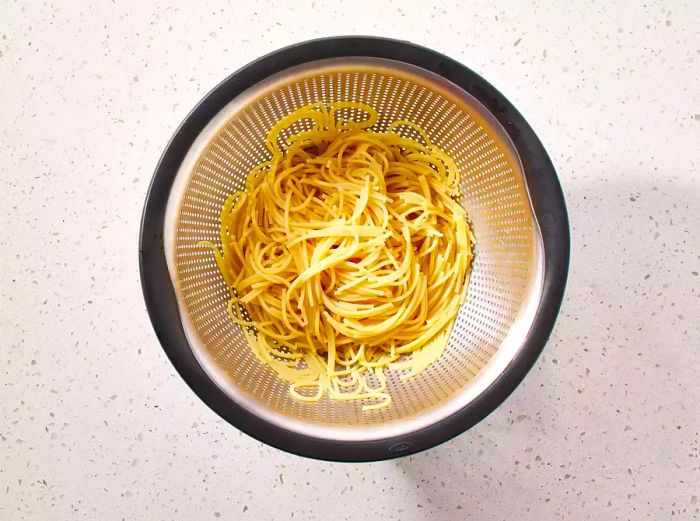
508 187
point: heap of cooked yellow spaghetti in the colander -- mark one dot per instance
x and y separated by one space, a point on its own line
347 254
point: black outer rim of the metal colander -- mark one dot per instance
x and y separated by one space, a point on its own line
546 197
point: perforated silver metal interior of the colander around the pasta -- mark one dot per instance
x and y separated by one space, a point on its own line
507 272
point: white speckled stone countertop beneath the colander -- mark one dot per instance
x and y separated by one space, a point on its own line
94 422
